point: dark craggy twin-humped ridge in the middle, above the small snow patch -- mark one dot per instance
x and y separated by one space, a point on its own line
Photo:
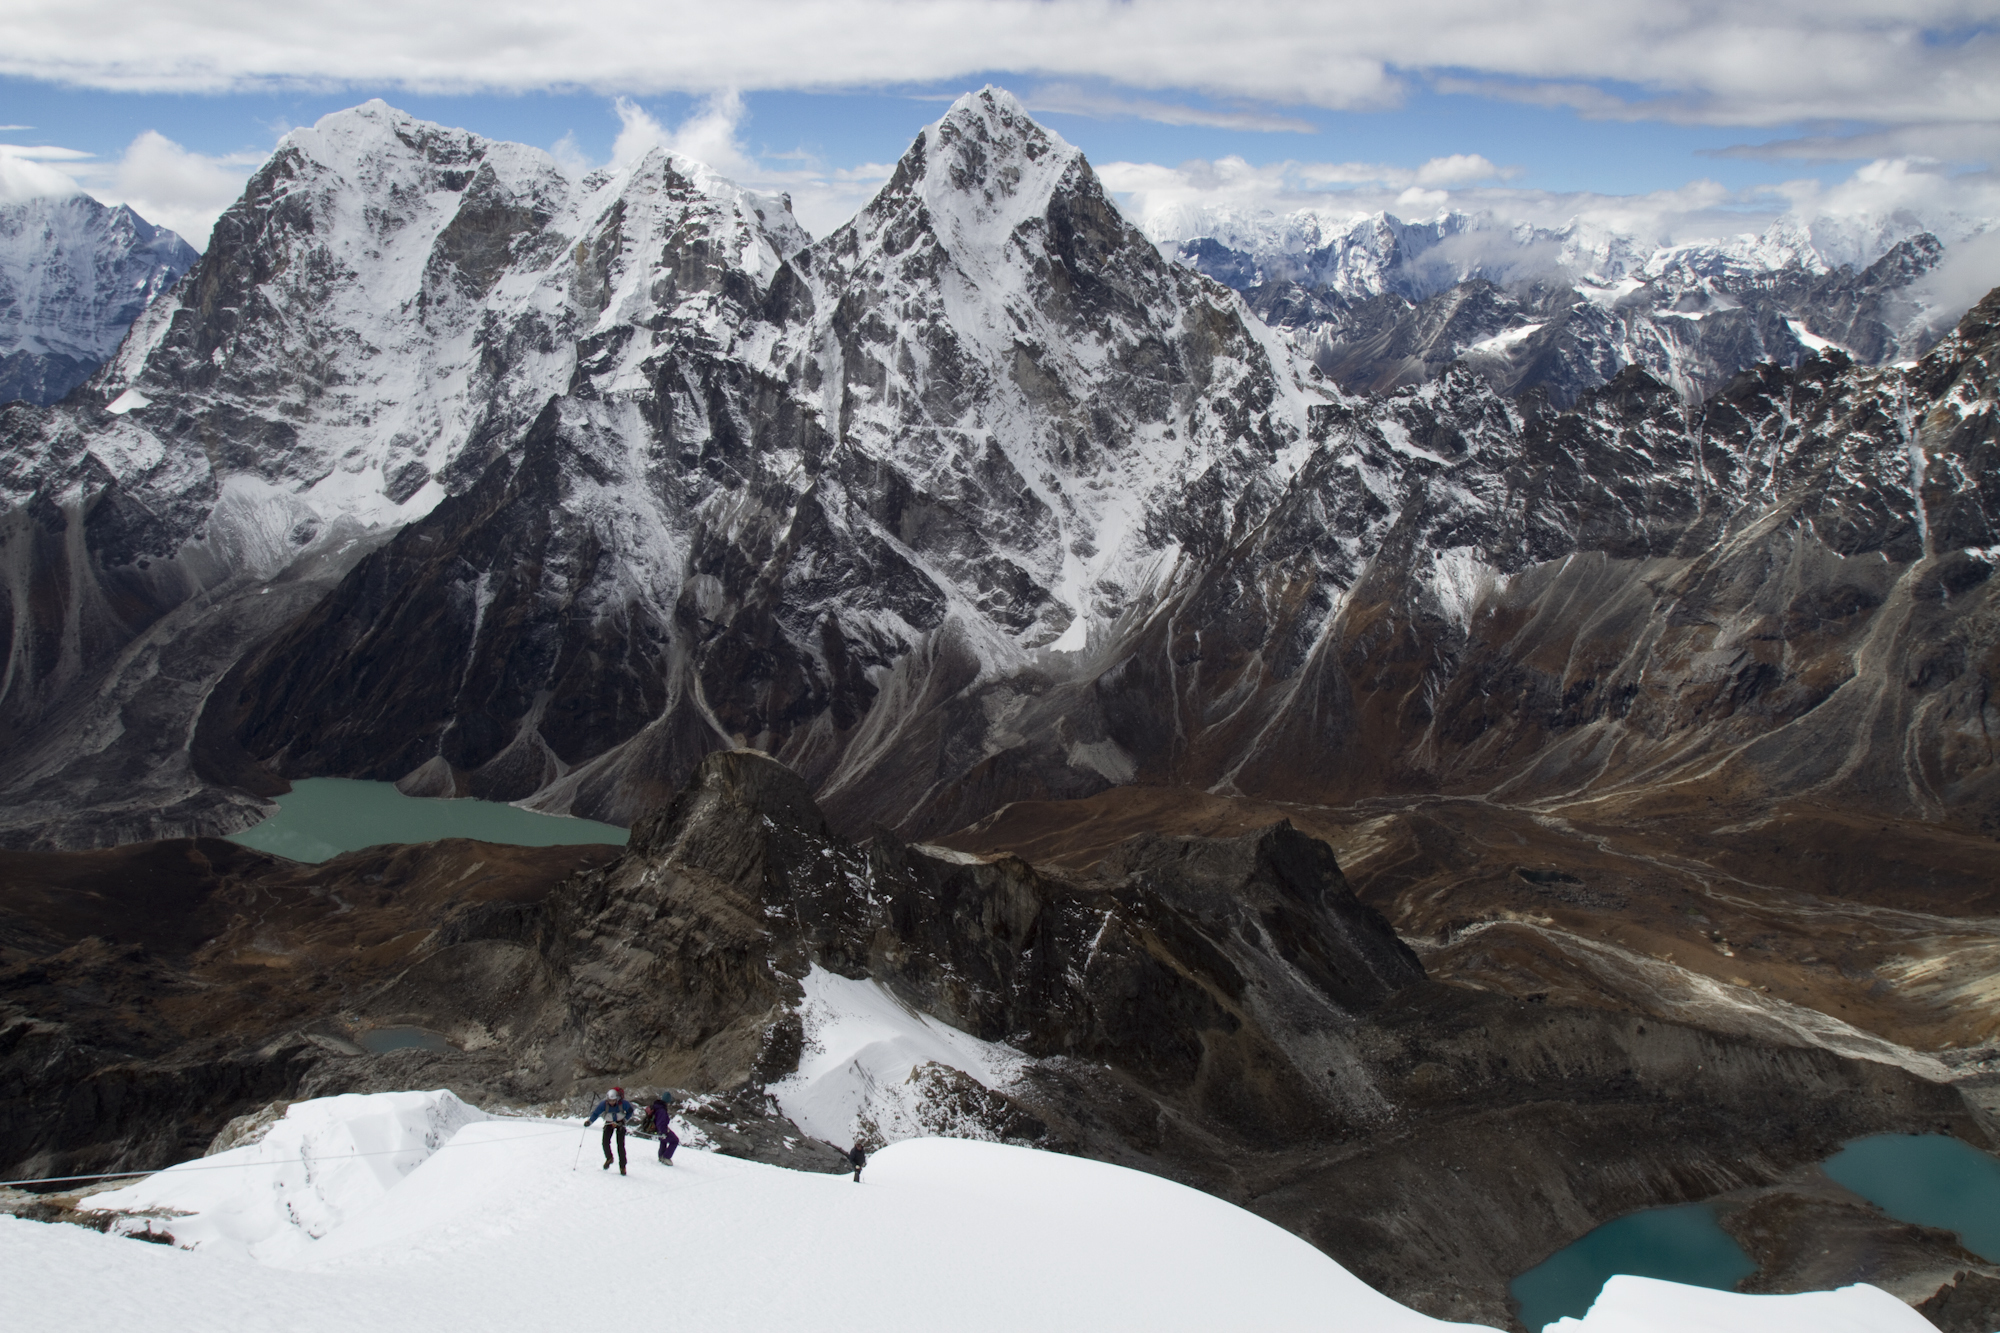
1189 970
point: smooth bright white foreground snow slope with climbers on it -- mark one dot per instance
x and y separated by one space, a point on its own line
499 1230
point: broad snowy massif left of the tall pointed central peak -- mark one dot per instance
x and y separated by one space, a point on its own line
427 291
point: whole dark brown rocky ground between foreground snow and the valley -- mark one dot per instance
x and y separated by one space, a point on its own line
1215 1010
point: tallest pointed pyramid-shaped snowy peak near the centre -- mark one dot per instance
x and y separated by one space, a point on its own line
997 327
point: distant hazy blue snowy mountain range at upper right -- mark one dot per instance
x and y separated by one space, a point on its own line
1383 303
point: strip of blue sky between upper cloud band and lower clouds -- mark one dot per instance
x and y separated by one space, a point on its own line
1555 147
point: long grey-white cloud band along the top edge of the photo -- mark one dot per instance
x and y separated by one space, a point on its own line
1701 61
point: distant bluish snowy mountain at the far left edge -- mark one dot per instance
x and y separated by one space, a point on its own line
73 277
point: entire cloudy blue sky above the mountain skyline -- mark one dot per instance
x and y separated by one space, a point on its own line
1711 117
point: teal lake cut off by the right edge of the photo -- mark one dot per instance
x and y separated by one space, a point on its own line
1927 1180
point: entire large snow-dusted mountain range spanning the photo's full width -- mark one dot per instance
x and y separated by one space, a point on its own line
455 471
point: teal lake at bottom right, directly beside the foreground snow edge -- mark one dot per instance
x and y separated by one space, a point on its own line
1683 1246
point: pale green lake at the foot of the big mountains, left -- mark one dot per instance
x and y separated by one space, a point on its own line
325 818
